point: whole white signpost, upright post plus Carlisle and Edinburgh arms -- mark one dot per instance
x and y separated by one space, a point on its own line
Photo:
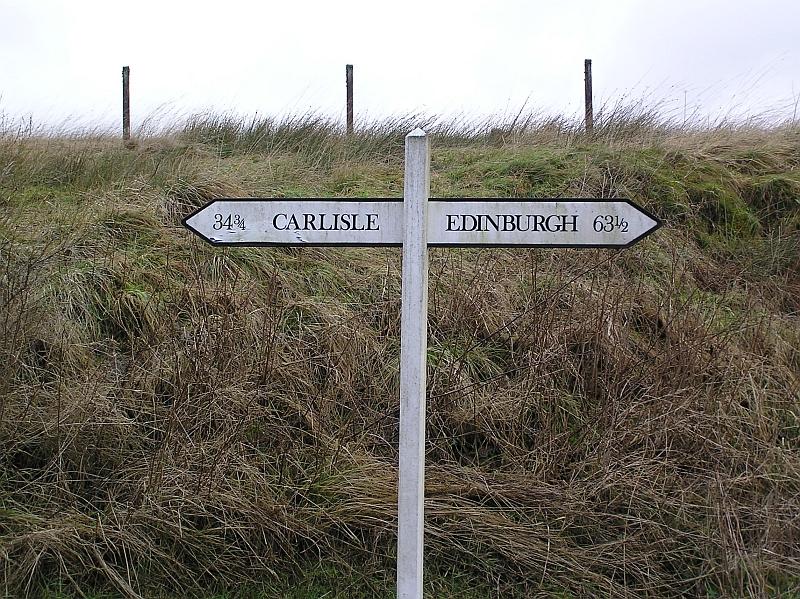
415 223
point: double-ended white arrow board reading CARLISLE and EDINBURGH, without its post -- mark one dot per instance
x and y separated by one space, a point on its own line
451 222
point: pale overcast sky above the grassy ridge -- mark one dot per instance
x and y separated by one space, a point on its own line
61 61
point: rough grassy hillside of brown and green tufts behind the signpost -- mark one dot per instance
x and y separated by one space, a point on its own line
177 419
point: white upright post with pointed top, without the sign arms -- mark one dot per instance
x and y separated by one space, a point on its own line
413 365
